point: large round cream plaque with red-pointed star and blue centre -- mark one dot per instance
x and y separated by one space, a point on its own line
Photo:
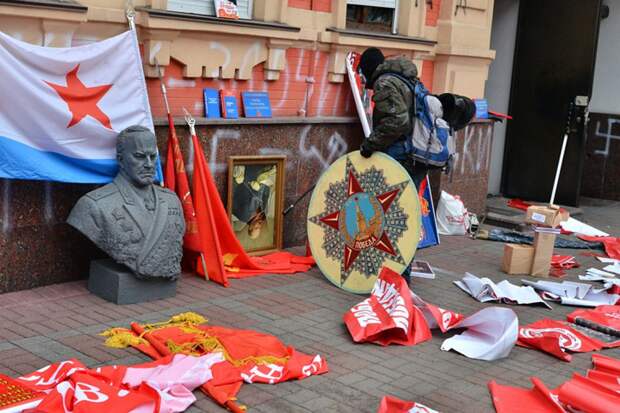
364 214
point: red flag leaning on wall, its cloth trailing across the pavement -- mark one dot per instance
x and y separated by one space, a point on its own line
225 257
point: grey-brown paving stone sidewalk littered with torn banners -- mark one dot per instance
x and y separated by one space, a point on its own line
61 321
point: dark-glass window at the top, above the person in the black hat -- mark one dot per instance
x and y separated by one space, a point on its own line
372 15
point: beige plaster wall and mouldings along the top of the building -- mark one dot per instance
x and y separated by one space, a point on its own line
461 55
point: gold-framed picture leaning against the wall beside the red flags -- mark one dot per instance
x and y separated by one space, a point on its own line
255 201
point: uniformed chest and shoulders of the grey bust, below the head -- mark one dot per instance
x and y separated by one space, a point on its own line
144 237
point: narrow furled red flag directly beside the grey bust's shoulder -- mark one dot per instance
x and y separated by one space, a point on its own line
175 179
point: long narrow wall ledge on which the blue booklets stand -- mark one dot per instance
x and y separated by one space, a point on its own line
293 120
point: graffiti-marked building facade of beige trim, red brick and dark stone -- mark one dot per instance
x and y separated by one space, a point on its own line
293 49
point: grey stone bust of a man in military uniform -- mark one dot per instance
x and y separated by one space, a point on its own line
137 223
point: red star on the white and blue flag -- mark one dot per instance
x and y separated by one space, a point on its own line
82 100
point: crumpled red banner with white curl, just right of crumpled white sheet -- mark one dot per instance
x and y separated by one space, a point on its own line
558 338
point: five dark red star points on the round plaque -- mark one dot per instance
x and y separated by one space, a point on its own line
383 243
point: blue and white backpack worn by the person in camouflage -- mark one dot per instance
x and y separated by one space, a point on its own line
430 140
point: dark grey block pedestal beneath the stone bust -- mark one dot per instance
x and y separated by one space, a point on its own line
115 283
